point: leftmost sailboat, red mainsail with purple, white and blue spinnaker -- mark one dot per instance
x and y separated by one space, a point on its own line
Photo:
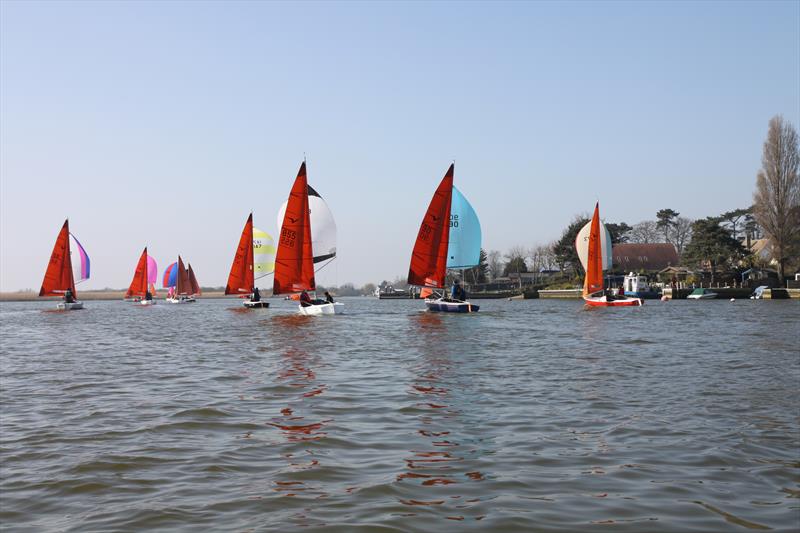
59 279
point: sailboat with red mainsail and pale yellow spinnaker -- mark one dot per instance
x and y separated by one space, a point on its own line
252 257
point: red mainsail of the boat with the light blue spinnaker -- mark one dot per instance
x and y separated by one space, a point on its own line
429 258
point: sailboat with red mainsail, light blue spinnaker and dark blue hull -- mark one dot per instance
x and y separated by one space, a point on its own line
449 237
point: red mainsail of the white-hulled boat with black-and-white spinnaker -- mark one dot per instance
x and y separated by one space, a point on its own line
294 260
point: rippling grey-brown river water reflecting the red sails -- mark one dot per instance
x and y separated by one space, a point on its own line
527 416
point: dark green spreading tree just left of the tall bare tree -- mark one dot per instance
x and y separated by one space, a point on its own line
712 245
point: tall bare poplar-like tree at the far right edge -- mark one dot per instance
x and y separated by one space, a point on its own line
777 198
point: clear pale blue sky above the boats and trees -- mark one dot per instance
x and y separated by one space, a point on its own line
165 123
